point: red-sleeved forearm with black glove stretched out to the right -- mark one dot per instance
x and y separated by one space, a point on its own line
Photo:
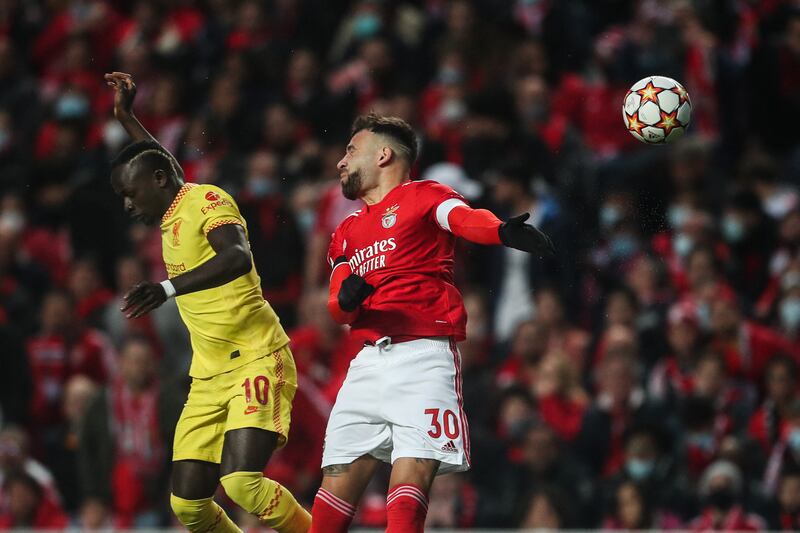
483 227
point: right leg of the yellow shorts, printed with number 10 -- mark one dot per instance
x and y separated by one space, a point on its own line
260 396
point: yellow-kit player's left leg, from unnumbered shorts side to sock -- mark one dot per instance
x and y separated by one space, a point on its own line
195 469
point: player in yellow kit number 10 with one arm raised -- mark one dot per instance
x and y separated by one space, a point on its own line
243 374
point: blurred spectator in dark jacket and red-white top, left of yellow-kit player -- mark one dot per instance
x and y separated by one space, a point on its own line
124 441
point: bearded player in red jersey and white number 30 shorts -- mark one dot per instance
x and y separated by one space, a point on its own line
392 281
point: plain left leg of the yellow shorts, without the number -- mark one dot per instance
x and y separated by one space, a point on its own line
200 430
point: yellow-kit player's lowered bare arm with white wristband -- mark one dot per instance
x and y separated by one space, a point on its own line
231 261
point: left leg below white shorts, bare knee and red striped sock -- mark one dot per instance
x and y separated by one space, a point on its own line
342 487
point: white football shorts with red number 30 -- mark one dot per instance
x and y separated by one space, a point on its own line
401 400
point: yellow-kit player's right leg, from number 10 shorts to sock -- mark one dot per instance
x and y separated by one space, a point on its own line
259 413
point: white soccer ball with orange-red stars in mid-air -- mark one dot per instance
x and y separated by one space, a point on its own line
657 110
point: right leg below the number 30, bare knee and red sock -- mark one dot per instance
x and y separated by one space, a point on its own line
407 498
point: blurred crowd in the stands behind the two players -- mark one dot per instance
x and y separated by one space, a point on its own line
645 377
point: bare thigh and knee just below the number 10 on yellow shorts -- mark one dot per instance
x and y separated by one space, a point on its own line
247 450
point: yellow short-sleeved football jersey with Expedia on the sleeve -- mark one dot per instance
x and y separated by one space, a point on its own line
229 325
